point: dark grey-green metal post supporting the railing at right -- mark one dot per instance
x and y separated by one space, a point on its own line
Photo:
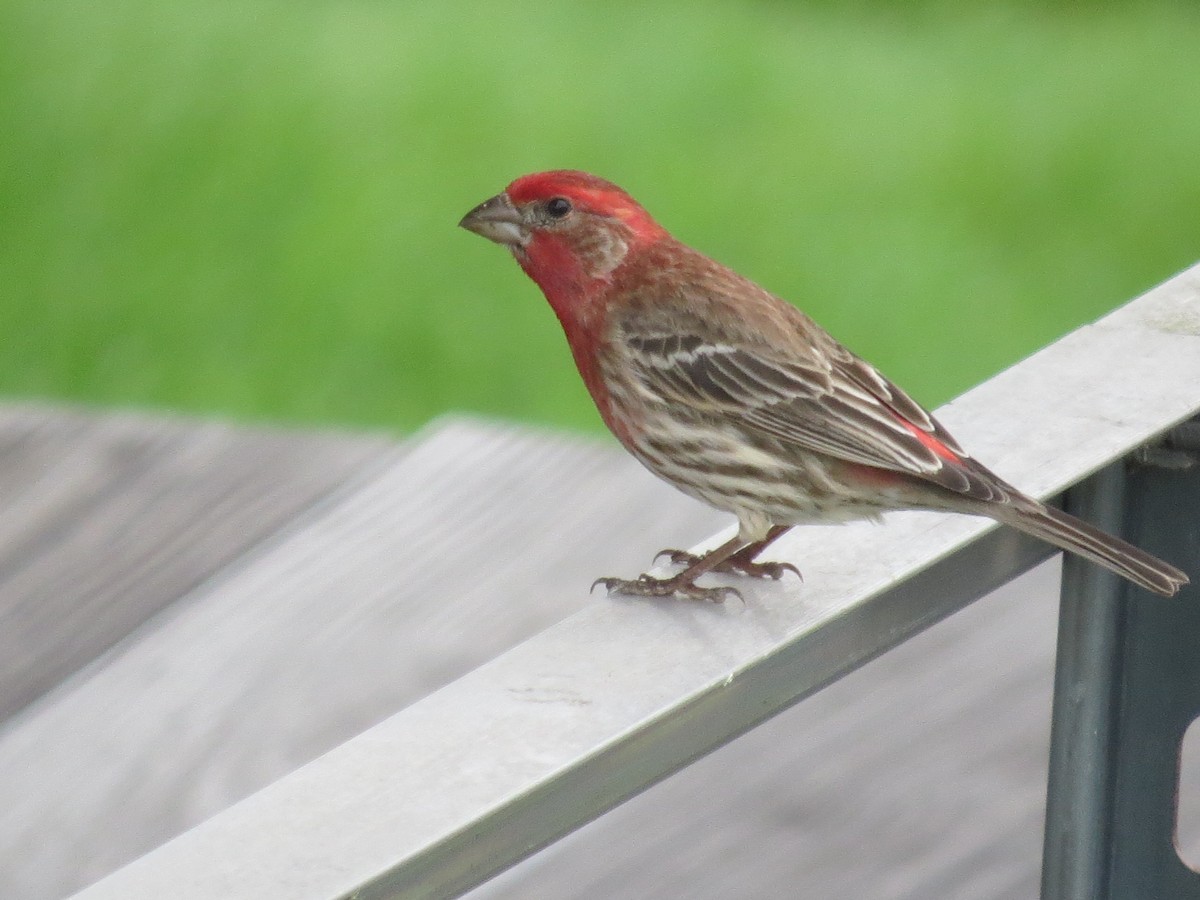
1127 687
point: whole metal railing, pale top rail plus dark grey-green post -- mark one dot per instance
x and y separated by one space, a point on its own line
544 739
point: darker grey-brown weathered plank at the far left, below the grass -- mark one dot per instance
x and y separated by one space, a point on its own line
107 519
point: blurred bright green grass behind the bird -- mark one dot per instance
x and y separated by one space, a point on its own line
249 208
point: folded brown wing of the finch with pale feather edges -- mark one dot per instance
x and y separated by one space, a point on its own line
821 398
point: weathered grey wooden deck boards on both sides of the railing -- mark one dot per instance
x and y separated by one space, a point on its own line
190 611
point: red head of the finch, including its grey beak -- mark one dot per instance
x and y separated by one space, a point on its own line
568 230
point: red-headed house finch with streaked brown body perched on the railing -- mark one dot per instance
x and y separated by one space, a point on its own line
739 399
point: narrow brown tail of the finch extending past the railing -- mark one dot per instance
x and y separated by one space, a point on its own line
1077 536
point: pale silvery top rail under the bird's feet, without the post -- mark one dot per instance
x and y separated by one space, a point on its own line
548 736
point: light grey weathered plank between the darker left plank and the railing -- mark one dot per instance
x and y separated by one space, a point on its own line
321 634
